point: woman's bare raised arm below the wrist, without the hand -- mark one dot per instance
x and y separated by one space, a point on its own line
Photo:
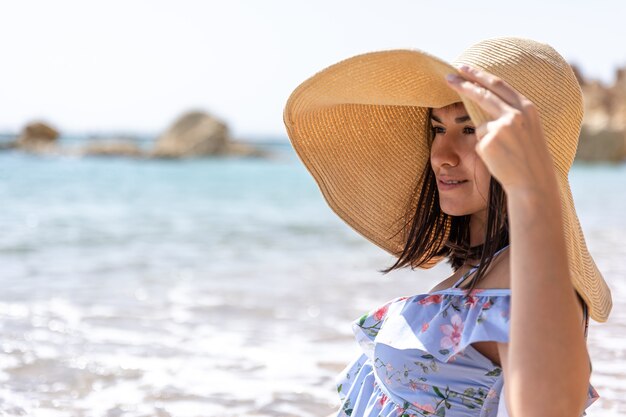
546 344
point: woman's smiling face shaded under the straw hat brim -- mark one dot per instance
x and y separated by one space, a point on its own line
453 158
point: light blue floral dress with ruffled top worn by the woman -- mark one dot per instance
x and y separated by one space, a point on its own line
417 358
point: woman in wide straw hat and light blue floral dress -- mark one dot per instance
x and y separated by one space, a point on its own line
465 162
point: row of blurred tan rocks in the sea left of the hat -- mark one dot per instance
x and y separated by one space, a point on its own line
194 134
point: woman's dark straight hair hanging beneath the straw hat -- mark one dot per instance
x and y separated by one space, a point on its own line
424 228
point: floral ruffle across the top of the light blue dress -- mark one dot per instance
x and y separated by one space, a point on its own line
442 323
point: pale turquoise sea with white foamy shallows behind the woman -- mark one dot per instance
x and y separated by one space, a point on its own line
215 287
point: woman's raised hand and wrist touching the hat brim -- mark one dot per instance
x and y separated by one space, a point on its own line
512 145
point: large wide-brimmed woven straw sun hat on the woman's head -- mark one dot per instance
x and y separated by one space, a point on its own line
360 128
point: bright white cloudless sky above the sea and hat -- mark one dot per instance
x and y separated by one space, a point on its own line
134 66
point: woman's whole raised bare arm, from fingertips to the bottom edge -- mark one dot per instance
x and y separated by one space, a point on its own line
547 371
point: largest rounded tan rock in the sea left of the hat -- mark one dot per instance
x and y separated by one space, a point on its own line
194 134
